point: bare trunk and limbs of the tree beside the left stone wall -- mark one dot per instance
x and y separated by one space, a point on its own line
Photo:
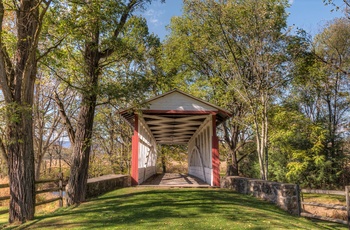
76 187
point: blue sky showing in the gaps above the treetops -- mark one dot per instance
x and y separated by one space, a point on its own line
310 15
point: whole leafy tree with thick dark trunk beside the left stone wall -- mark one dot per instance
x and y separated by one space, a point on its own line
105 37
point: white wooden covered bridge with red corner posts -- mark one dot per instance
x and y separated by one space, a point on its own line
176 118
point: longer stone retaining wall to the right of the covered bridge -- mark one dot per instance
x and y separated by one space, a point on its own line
285 196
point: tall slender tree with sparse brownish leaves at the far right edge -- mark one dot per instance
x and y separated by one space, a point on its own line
333 56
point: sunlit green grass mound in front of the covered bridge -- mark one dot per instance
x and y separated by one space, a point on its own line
165 208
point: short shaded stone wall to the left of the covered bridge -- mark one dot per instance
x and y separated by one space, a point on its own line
100 185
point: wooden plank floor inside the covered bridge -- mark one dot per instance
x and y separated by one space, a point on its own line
175 180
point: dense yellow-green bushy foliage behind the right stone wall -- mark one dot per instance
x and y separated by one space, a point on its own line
298 151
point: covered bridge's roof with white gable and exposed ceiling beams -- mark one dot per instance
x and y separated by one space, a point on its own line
175 116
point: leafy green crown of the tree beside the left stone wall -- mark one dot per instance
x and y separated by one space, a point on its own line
126 74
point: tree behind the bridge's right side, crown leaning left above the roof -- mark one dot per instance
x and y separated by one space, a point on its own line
192 60
